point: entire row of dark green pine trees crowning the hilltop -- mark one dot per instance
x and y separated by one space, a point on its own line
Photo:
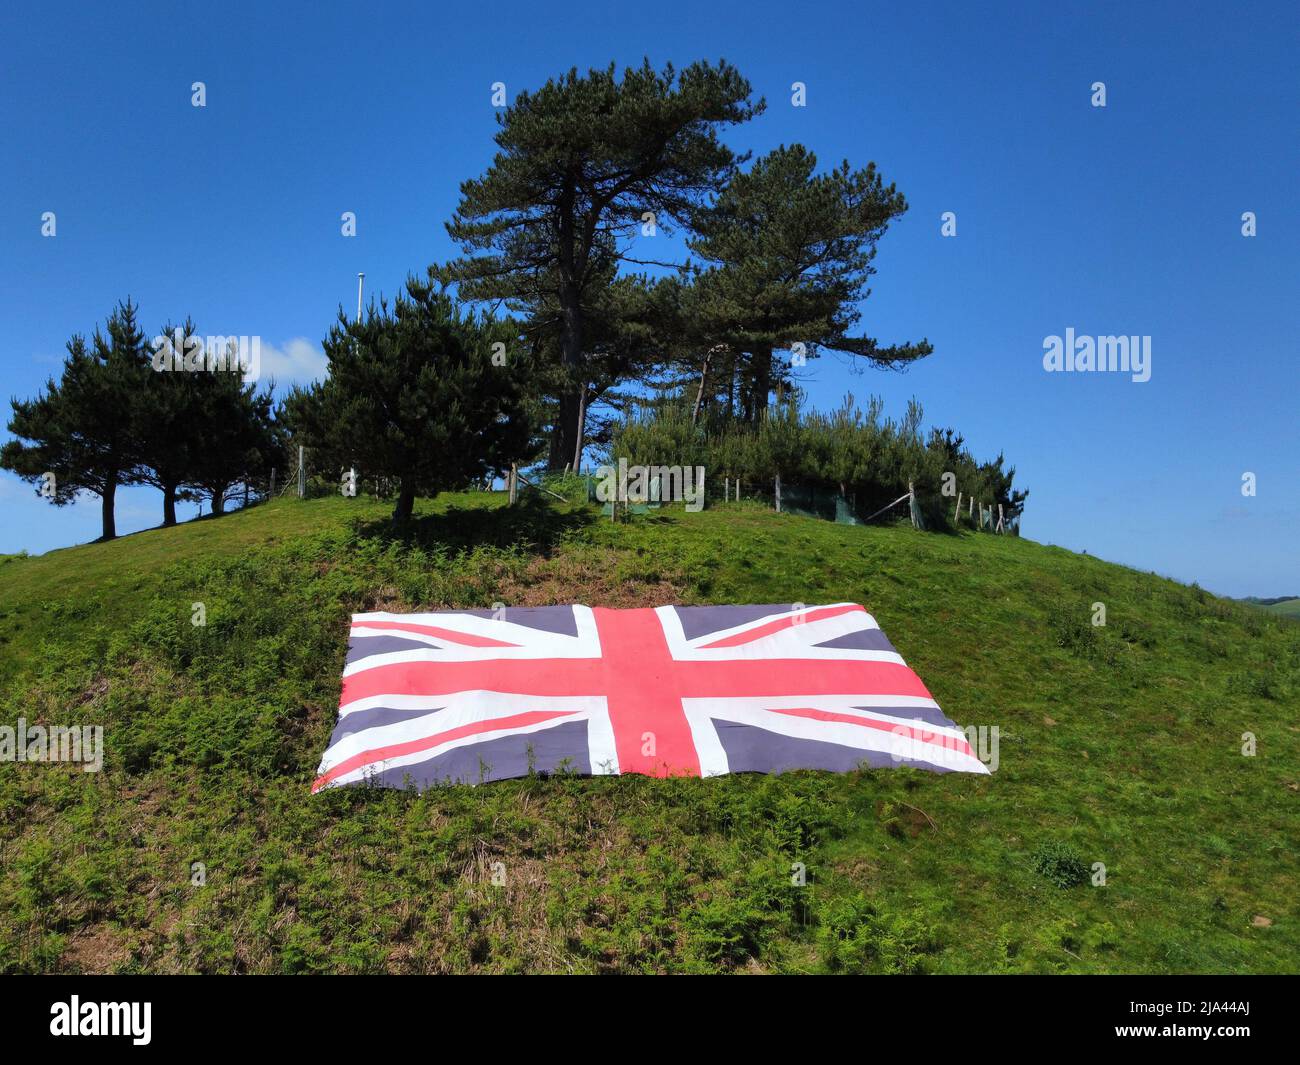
558 237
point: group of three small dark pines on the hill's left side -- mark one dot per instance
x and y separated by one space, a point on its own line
112 421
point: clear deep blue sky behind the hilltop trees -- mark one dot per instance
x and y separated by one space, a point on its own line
1124 220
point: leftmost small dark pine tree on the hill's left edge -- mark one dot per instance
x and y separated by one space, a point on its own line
84 428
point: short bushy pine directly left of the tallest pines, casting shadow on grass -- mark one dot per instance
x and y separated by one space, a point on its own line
414 395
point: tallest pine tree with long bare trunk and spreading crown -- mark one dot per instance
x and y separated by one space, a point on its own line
580 164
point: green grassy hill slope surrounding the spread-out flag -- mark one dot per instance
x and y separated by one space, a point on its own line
1119 746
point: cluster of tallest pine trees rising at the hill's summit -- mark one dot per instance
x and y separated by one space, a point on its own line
591 172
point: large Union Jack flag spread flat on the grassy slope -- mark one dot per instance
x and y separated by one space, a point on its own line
474 695
